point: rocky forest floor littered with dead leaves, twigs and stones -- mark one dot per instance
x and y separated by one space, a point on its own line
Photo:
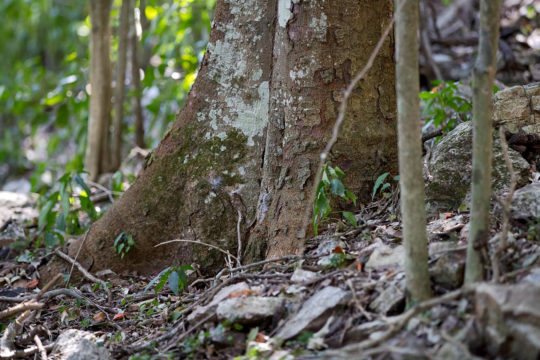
347 293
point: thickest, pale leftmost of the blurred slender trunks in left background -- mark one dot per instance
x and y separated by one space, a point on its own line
97 149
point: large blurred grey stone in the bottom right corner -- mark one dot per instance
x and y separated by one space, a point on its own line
510 318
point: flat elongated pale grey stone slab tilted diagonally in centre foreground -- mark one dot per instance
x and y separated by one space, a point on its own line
310 316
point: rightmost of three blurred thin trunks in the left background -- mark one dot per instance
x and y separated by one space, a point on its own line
136 82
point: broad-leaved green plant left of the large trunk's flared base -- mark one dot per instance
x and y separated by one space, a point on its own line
59 211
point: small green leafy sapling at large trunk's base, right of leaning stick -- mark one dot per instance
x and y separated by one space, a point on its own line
331 185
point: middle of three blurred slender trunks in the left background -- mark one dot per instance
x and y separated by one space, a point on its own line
123 33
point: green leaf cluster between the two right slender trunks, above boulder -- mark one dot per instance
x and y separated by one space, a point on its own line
444 105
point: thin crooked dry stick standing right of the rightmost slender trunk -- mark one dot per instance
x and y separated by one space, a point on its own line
506 210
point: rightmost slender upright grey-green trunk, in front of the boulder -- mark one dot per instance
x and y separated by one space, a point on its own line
483 78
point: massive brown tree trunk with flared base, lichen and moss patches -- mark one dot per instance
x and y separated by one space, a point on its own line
247 141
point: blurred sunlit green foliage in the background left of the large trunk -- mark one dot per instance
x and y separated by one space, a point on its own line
44 96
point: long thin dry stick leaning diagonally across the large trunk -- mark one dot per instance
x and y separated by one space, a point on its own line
341 116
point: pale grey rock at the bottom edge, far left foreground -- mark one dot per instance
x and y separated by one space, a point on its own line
78 345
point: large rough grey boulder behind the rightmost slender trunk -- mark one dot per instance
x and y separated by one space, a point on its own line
451 167
